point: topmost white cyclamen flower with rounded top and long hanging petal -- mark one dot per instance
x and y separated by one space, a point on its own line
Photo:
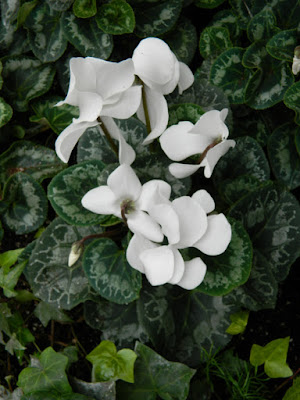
157 66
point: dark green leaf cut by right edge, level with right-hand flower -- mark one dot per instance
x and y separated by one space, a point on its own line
283 155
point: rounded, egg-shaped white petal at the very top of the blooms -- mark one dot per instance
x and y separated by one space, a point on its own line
153 61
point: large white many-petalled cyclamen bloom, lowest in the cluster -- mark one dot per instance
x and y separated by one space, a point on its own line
164 264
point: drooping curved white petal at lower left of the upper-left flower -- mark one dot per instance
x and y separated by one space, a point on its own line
68 138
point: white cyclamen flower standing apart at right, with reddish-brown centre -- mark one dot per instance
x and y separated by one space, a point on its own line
207 137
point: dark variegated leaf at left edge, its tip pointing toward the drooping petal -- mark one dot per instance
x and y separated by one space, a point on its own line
35 160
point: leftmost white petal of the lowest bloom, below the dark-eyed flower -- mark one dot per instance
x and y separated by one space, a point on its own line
136 246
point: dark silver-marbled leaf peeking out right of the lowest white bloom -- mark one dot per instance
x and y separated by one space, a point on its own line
230 269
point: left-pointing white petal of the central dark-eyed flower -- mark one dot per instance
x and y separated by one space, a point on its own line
101 200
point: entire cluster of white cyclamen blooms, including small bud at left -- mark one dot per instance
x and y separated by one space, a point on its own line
161 227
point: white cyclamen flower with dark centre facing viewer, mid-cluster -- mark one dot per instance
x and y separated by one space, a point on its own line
125 197
